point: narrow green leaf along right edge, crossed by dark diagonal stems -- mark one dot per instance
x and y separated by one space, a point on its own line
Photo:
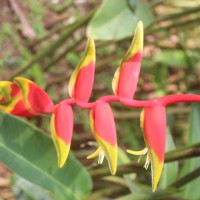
191 190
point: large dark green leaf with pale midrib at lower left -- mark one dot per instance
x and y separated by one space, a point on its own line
30 154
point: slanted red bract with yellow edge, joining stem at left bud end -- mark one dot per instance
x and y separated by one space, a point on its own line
35 99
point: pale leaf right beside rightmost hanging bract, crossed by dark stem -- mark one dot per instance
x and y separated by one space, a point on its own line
170 171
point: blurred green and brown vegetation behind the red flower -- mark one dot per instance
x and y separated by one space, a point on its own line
43 41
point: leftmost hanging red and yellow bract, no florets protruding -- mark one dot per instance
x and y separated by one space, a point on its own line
61 131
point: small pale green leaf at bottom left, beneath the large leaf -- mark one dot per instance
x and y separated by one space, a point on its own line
25 190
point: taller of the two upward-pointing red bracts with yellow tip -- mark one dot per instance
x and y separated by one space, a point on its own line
126 77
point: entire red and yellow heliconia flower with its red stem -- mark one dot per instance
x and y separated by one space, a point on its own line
23 97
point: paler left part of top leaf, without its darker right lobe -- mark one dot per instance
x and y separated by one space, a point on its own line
113 21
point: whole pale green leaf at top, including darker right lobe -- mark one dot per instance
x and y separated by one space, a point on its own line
114 20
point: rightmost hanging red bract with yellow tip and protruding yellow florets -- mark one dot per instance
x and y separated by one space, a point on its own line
153 124
